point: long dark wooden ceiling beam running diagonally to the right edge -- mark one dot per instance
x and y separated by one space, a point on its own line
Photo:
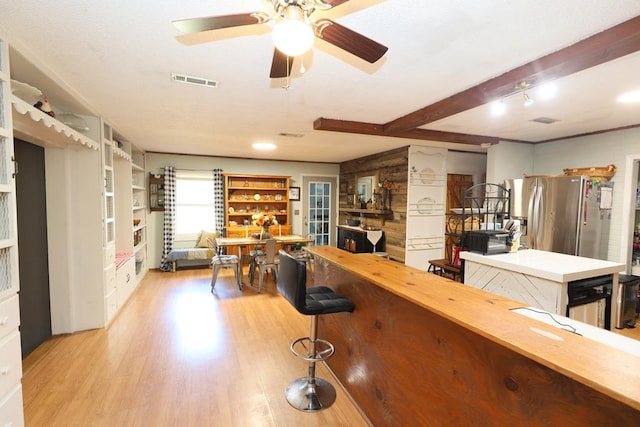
617 41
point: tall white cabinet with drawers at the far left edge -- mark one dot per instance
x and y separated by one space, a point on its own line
11 412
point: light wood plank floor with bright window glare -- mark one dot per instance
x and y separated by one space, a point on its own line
176 355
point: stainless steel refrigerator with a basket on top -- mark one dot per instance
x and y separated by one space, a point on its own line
564 214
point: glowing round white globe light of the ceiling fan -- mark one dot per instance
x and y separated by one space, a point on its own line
293 35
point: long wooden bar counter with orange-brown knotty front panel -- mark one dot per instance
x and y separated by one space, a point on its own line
420 349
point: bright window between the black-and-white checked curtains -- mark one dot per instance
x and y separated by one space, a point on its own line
195 203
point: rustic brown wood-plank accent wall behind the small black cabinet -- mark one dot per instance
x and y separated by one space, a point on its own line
393 165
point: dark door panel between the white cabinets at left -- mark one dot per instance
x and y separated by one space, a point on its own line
35 309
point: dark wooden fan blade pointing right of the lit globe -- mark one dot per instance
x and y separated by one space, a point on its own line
346 39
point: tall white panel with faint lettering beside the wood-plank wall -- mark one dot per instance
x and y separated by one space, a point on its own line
426 193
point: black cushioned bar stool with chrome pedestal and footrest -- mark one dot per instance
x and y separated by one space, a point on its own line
309 394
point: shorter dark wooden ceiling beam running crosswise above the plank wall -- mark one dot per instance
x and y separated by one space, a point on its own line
362 128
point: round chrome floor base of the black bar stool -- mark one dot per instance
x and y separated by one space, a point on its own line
310 395
